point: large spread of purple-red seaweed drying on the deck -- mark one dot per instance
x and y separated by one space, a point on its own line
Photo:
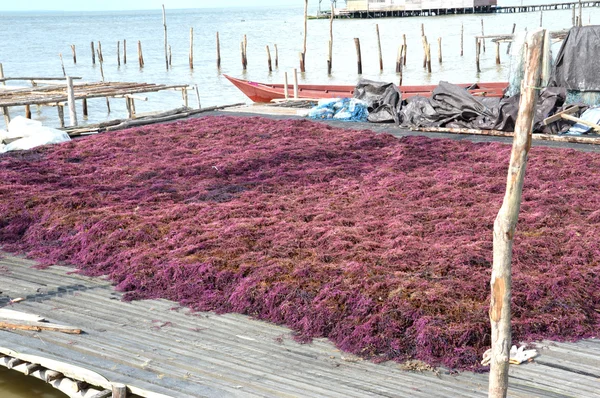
382 245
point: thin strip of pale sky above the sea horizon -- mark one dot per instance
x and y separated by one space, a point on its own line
112 5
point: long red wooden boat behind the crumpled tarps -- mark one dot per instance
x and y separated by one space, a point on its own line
261 92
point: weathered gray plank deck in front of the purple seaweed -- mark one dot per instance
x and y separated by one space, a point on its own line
156 347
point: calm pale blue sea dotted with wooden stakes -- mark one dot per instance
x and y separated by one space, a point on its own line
31 44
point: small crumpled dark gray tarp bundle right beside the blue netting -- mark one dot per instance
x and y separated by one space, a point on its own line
383 100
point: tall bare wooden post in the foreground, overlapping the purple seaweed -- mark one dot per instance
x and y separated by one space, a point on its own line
506 222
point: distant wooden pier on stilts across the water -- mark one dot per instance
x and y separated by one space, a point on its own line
397 12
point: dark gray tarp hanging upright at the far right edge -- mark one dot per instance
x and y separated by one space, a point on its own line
577 65
